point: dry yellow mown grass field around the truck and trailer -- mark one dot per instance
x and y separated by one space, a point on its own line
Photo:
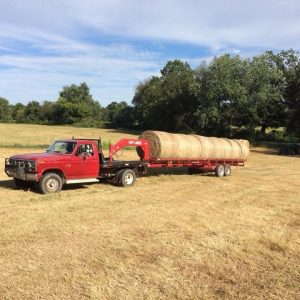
171 236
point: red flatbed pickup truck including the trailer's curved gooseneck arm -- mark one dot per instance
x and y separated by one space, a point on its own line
73 161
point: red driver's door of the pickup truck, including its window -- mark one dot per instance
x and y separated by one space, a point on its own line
85 162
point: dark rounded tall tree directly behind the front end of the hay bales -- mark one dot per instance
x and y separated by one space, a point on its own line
166 102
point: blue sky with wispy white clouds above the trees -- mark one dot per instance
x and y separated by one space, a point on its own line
113 45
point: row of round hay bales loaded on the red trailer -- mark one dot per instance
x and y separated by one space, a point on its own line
164 145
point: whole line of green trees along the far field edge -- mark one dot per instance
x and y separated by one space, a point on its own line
227 96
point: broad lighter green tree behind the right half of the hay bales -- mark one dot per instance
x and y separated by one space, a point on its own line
222 96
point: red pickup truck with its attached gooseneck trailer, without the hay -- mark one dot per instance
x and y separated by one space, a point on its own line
82 161
